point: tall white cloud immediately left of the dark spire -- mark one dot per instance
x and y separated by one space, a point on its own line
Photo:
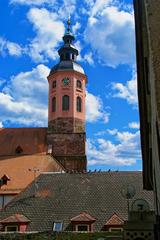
49 31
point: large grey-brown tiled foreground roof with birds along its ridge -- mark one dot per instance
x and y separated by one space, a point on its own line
62 196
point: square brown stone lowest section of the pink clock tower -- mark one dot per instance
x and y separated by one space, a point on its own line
69 150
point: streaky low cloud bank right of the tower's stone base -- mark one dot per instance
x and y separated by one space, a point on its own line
125 151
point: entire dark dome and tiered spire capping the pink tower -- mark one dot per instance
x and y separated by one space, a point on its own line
68 54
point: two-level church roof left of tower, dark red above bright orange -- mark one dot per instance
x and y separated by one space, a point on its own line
15 165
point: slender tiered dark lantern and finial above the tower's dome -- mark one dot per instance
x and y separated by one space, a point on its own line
68 52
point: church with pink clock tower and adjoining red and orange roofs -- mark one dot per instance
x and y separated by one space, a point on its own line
26 152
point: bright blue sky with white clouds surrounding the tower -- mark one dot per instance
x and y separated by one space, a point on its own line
30 35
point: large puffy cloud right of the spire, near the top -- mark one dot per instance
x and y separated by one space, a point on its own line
111 35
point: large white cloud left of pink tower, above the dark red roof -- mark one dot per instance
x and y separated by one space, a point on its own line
25 99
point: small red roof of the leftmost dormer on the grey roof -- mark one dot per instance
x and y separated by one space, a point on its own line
16 218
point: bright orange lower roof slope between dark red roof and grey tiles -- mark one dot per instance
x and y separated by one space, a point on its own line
17 169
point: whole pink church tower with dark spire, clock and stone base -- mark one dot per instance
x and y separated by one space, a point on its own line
66 122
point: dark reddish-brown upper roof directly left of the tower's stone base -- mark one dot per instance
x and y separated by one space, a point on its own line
30 140
